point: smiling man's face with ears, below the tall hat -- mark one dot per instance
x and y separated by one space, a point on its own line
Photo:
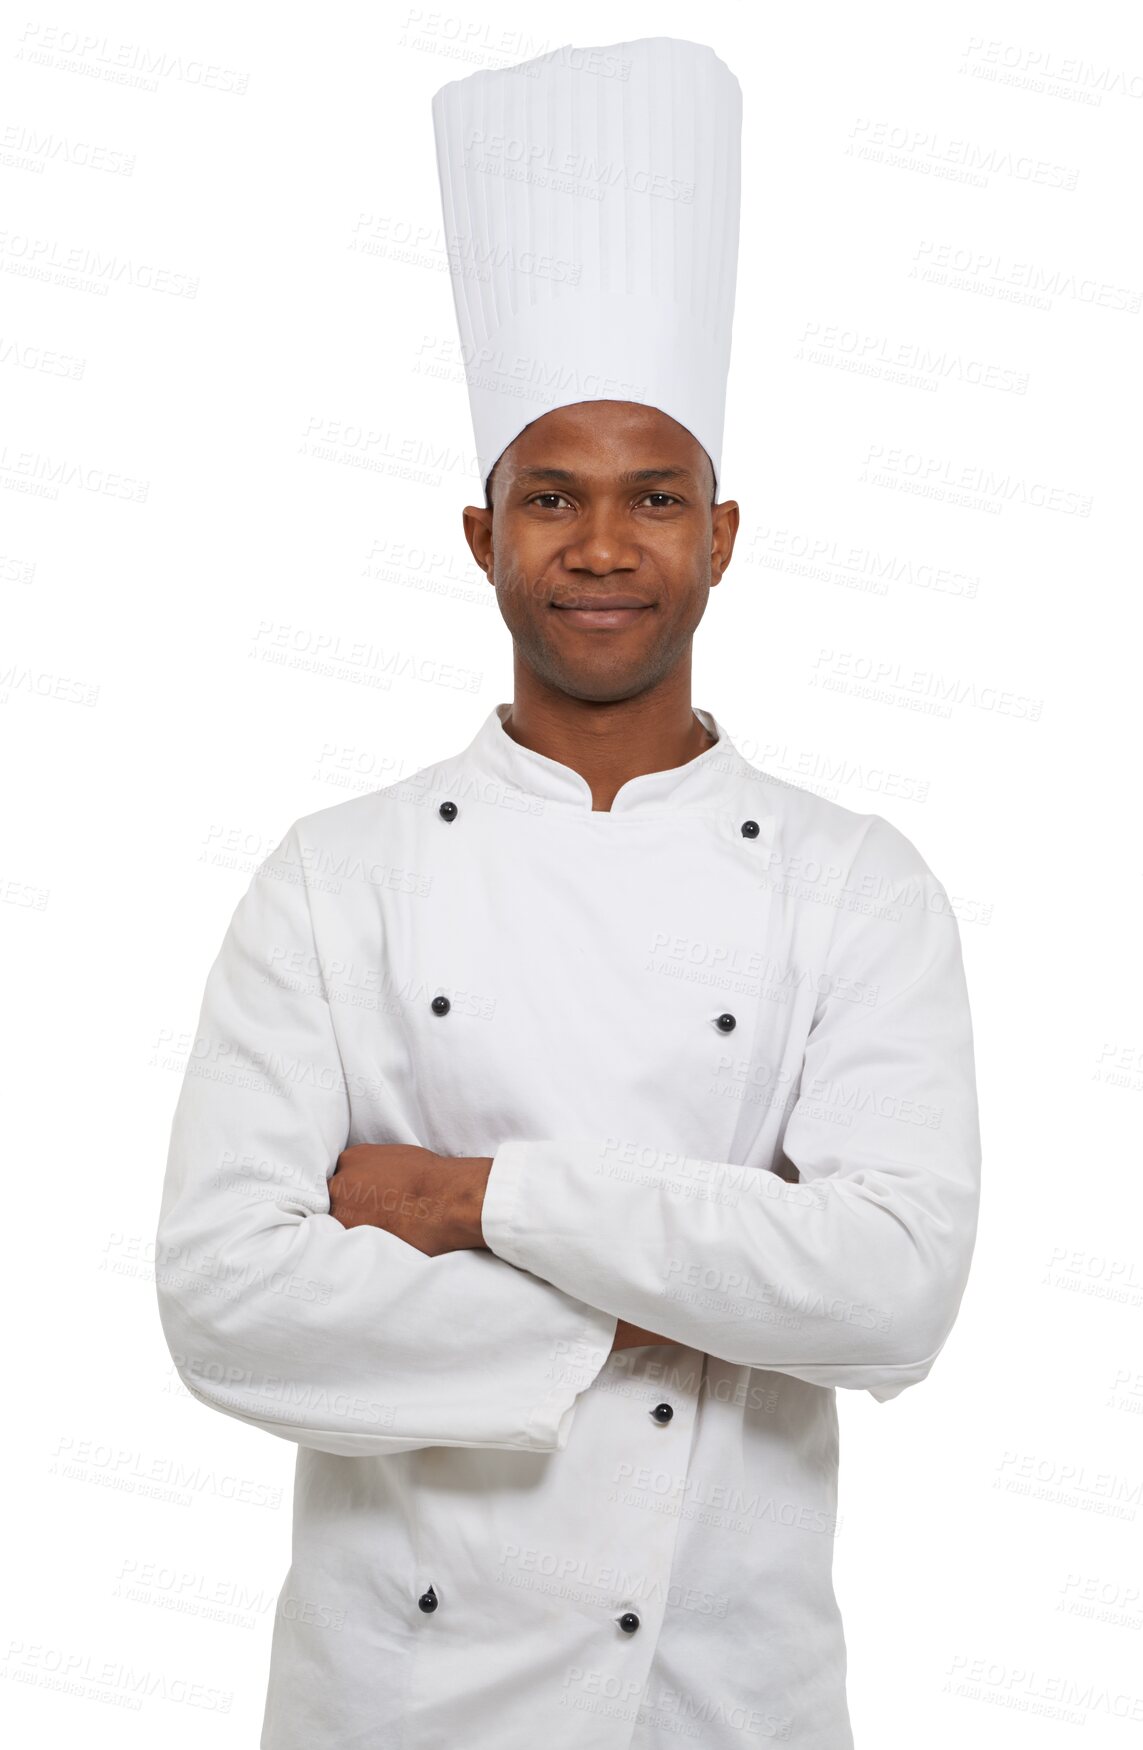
607 505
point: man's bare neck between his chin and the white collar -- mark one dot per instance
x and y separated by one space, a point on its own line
610 741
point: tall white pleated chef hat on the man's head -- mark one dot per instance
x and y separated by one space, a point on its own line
591 207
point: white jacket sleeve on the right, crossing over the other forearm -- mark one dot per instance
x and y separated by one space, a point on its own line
853 1277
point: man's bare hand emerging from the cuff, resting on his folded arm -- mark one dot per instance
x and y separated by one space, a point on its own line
430 1201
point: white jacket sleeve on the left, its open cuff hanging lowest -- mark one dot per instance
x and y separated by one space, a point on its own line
342 1340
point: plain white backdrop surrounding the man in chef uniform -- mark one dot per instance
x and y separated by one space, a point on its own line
234 456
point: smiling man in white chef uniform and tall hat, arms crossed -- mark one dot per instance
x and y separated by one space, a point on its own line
570 1121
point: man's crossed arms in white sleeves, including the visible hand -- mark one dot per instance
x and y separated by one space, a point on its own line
363 1338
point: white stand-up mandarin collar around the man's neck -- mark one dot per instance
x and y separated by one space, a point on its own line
696 783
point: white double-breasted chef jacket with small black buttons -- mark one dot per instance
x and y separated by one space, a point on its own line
503 1534
